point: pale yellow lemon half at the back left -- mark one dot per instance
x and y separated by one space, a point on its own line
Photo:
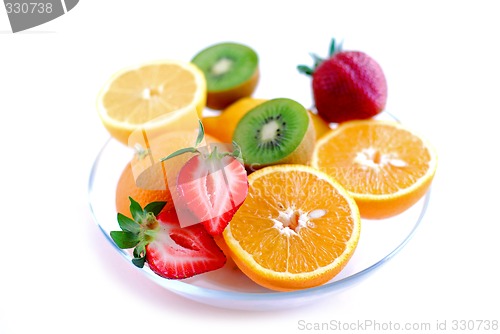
151 95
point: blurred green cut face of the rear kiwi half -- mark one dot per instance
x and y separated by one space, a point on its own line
226 65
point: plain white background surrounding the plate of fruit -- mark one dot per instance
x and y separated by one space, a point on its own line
58 274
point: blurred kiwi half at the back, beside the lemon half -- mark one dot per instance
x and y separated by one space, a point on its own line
231 71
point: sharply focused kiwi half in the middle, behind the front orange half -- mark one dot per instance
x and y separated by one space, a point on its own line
277 131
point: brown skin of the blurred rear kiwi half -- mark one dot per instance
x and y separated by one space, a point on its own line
221 99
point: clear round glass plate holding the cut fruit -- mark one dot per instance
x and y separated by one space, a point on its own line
227 287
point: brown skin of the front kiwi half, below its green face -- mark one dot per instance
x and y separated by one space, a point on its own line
301 155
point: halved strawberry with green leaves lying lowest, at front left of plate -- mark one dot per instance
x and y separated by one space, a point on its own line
170 251
